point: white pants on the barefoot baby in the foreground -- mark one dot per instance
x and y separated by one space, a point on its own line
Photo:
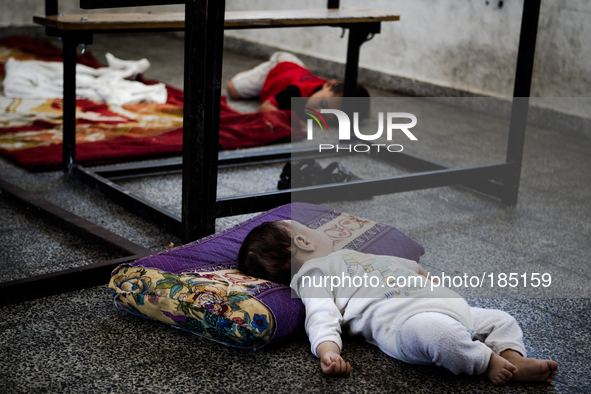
436 338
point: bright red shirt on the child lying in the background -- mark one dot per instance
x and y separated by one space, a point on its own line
285 74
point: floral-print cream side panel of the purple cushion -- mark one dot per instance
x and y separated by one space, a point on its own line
202 303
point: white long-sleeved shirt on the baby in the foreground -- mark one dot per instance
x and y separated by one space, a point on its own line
361 293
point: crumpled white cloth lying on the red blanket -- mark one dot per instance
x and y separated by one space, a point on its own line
40 79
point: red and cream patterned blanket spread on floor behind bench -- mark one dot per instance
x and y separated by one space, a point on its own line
31 136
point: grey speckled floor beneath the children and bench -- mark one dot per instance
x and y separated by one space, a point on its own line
79 341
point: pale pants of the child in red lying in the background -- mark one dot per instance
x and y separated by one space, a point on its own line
249 84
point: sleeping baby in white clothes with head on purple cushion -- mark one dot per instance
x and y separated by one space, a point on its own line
413 323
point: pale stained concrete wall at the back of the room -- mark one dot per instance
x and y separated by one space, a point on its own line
469 45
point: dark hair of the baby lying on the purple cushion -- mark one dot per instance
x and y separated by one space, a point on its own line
266 253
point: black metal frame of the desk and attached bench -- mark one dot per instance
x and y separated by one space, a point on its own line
205 24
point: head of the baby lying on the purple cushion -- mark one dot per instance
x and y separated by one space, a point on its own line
270 248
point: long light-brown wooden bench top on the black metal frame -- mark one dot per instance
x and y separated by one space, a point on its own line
233 19
